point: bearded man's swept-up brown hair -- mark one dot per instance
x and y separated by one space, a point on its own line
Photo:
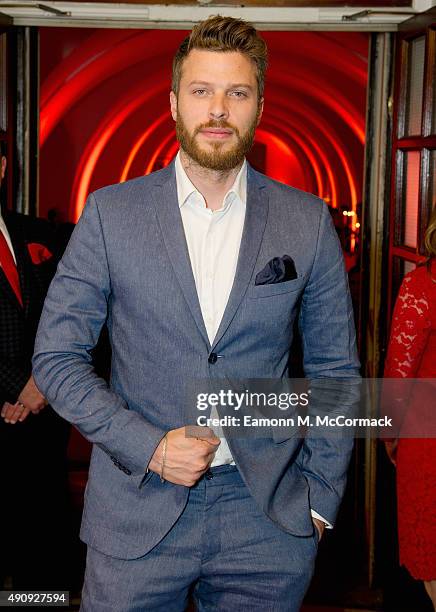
224 34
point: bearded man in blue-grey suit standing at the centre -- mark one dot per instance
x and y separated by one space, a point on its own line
200 271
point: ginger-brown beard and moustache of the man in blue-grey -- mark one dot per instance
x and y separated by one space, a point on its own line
215 159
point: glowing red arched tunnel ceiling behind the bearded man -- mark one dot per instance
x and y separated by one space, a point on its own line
104 111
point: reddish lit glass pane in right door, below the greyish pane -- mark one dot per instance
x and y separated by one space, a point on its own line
407 230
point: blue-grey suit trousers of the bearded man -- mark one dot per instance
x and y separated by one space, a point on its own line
223 550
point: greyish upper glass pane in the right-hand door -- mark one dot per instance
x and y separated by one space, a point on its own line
415 86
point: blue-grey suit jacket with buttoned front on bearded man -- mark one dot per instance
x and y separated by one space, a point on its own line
127 264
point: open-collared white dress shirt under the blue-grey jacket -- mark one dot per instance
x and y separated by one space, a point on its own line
213 239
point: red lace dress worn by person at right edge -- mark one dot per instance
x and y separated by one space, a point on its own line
412 354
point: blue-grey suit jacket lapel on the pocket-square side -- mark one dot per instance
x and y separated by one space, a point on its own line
254 226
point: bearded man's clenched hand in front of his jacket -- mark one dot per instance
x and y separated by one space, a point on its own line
187 458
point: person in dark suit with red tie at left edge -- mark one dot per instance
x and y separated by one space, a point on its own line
33 438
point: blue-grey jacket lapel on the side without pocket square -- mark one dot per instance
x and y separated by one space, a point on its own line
171 225
